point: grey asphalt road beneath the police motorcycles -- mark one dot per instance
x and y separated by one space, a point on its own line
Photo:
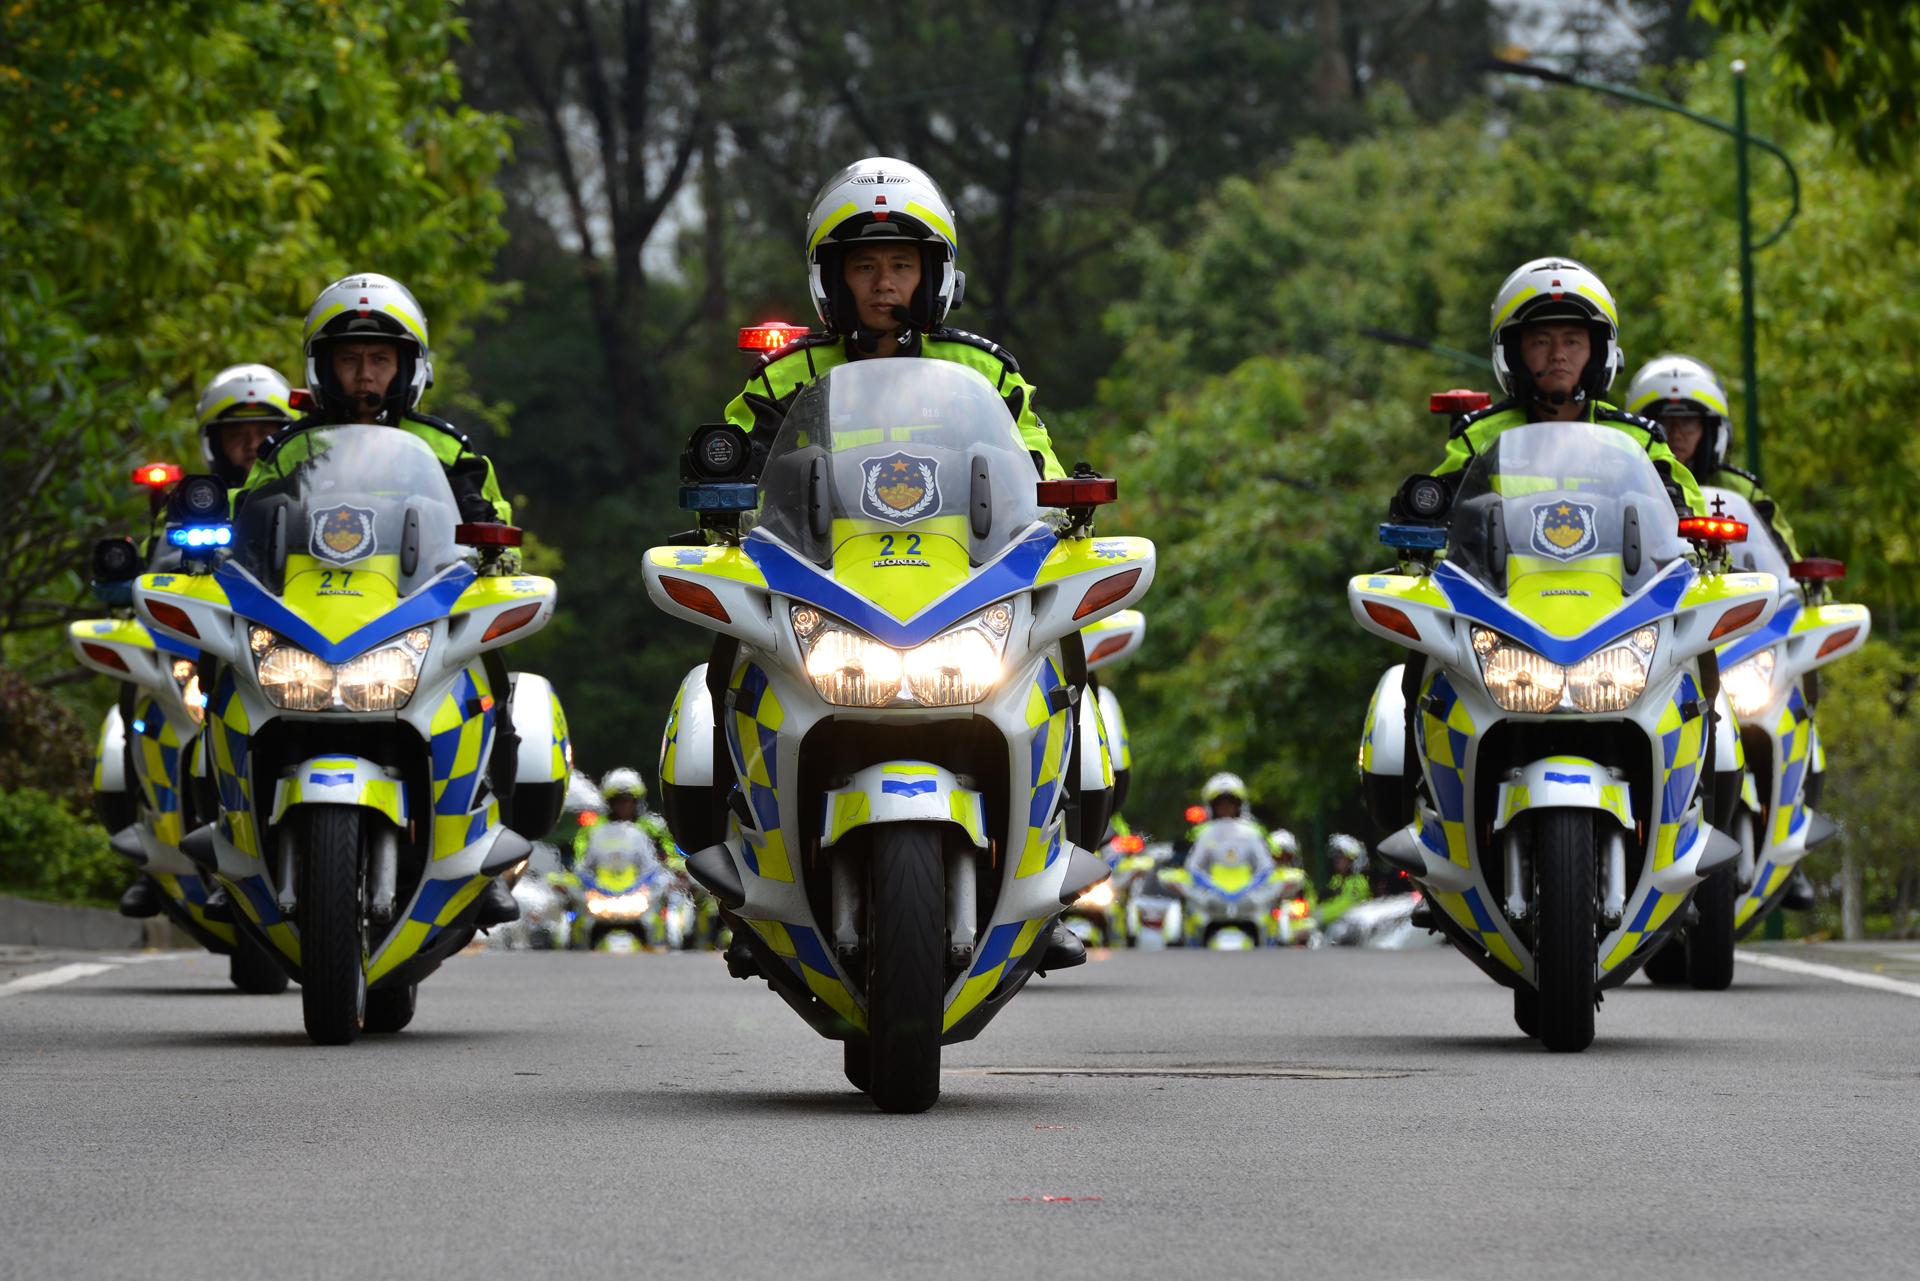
573 1115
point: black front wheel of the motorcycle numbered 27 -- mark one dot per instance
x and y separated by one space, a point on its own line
333 929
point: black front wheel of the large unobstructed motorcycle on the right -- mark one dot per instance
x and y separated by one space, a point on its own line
1566 856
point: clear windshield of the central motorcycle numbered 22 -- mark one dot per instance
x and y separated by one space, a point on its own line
900 454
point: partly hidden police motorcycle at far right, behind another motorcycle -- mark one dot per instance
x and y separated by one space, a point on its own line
1769 683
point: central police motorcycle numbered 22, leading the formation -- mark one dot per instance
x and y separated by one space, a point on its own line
871 771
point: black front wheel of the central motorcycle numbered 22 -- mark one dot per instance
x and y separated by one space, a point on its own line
905 967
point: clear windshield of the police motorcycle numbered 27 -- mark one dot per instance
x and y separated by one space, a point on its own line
360 510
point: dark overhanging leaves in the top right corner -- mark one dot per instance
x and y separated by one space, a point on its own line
1854 66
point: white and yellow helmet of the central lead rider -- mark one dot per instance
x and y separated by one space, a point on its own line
882 199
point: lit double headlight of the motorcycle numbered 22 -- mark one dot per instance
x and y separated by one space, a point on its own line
852 669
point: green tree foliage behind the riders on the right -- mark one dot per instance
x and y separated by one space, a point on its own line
1259 433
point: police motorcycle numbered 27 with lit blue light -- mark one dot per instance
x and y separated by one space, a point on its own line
362 808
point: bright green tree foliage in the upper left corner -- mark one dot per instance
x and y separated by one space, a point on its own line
178 180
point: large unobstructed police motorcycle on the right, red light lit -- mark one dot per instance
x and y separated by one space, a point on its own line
1560 706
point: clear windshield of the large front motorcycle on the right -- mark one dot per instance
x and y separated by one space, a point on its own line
1556 510
